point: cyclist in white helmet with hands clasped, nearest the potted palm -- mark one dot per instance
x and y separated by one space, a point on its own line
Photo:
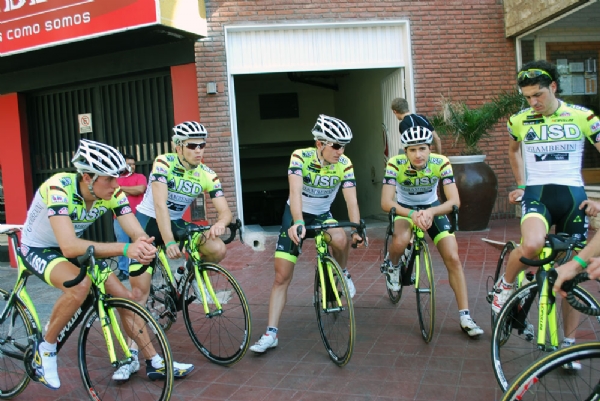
410 185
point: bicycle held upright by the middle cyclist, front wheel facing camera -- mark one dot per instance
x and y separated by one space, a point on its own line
333 305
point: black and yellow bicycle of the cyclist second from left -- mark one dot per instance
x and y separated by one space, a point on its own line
215 308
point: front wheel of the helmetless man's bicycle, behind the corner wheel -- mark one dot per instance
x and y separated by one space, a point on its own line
514 345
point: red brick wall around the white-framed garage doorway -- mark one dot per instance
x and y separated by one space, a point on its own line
459 51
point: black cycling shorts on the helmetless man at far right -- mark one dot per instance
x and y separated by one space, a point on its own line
556 205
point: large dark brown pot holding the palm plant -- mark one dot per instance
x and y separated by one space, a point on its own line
478 188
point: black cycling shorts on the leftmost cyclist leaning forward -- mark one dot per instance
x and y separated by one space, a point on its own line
41 261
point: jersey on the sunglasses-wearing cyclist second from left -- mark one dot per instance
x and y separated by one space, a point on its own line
183 185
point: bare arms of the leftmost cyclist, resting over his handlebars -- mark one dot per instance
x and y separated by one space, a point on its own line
72 246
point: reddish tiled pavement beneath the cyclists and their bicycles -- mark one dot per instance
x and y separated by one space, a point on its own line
390 361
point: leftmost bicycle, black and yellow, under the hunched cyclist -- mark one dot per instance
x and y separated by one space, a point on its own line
105 319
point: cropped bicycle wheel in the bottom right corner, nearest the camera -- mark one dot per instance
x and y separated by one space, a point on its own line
547 380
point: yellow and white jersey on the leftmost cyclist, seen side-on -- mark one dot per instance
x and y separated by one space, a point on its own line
59 196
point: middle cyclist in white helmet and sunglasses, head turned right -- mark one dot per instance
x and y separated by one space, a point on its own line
315 175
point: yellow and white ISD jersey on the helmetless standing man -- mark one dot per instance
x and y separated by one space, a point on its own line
553 145
